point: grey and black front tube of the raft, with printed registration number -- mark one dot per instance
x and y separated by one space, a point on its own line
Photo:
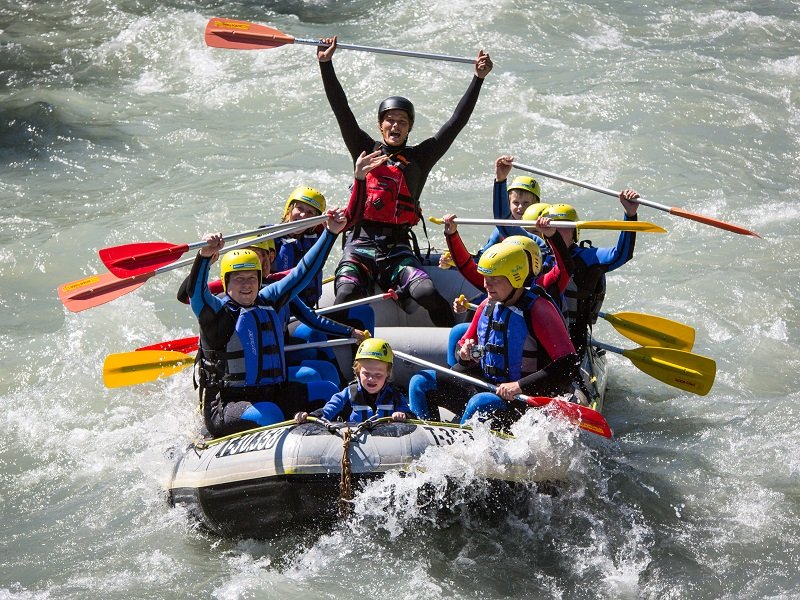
266 481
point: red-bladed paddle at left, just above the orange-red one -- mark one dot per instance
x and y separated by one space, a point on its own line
134 259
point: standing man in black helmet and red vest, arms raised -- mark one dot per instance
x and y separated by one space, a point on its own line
379 249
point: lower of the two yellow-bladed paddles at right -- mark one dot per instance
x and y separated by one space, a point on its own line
684 370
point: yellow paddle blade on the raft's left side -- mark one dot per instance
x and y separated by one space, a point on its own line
131 368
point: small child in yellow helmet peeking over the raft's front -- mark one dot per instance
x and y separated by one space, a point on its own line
371 394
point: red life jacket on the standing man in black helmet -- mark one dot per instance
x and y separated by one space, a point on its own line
388 198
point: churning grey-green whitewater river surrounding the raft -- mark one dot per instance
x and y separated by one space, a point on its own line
118 124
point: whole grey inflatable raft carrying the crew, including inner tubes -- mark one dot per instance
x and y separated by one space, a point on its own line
261 482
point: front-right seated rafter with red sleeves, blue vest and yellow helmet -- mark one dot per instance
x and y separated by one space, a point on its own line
517 340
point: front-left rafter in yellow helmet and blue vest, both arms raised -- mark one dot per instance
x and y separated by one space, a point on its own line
244 384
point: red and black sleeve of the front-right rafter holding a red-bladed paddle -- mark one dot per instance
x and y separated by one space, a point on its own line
553 337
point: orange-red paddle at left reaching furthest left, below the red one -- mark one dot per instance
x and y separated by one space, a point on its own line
98 289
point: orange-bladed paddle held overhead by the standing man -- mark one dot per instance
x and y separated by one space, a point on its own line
243 35
